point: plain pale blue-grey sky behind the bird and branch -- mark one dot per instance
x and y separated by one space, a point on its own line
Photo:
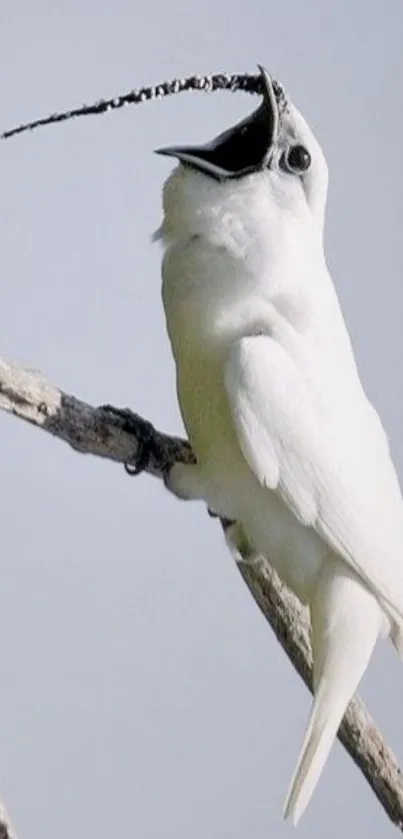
141 691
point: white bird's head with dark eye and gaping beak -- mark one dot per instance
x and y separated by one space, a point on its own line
272 152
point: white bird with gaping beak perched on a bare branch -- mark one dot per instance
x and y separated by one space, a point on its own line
287 443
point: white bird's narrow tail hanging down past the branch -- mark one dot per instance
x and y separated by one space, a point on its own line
346 622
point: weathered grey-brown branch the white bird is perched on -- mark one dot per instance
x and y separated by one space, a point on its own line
117 435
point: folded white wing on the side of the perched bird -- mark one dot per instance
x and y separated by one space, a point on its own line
335 476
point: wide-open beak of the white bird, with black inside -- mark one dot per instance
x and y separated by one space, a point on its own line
243 149
